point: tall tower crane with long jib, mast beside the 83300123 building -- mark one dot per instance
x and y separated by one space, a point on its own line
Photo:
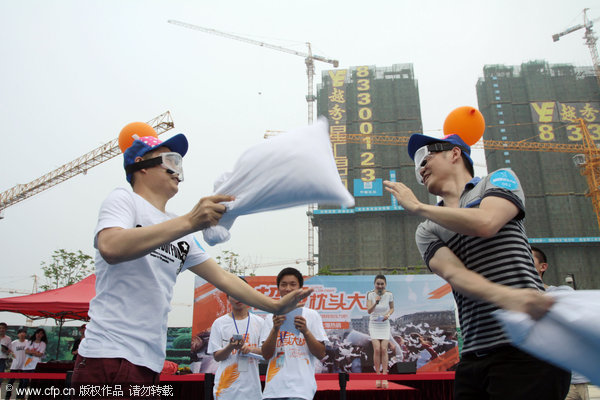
309 59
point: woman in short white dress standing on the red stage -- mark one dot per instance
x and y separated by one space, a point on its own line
380 305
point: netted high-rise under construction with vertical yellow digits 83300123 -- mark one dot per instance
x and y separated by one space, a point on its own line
367 108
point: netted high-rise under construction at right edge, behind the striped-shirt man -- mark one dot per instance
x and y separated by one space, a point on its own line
542 103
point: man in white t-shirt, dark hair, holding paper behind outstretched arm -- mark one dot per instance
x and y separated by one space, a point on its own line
291 358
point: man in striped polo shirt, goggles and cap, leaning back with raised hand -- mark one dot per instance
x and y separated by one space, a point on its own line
474 238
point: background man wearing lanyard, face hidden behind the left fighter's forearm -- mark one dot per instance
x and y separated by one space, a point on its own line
234 343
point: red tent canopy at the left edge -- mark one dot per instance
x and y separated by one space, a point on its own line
69 302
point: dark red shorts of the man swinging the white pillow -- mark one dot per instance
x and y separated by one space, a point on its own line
113 378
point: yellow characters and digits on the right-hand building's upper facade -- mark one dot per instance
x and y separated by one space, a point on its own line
549 114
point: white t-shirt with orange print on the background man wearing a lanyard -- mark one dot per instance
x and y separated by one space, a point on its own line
230 382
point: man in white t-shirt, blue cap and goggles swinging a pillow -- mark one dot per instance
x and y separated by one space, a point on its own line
141 249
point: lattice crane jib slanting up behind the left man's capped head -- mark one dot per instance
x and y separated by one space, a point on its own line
80 165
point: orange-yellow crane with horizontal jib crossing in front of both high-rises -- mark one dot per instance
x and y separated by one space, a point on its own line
587 157
